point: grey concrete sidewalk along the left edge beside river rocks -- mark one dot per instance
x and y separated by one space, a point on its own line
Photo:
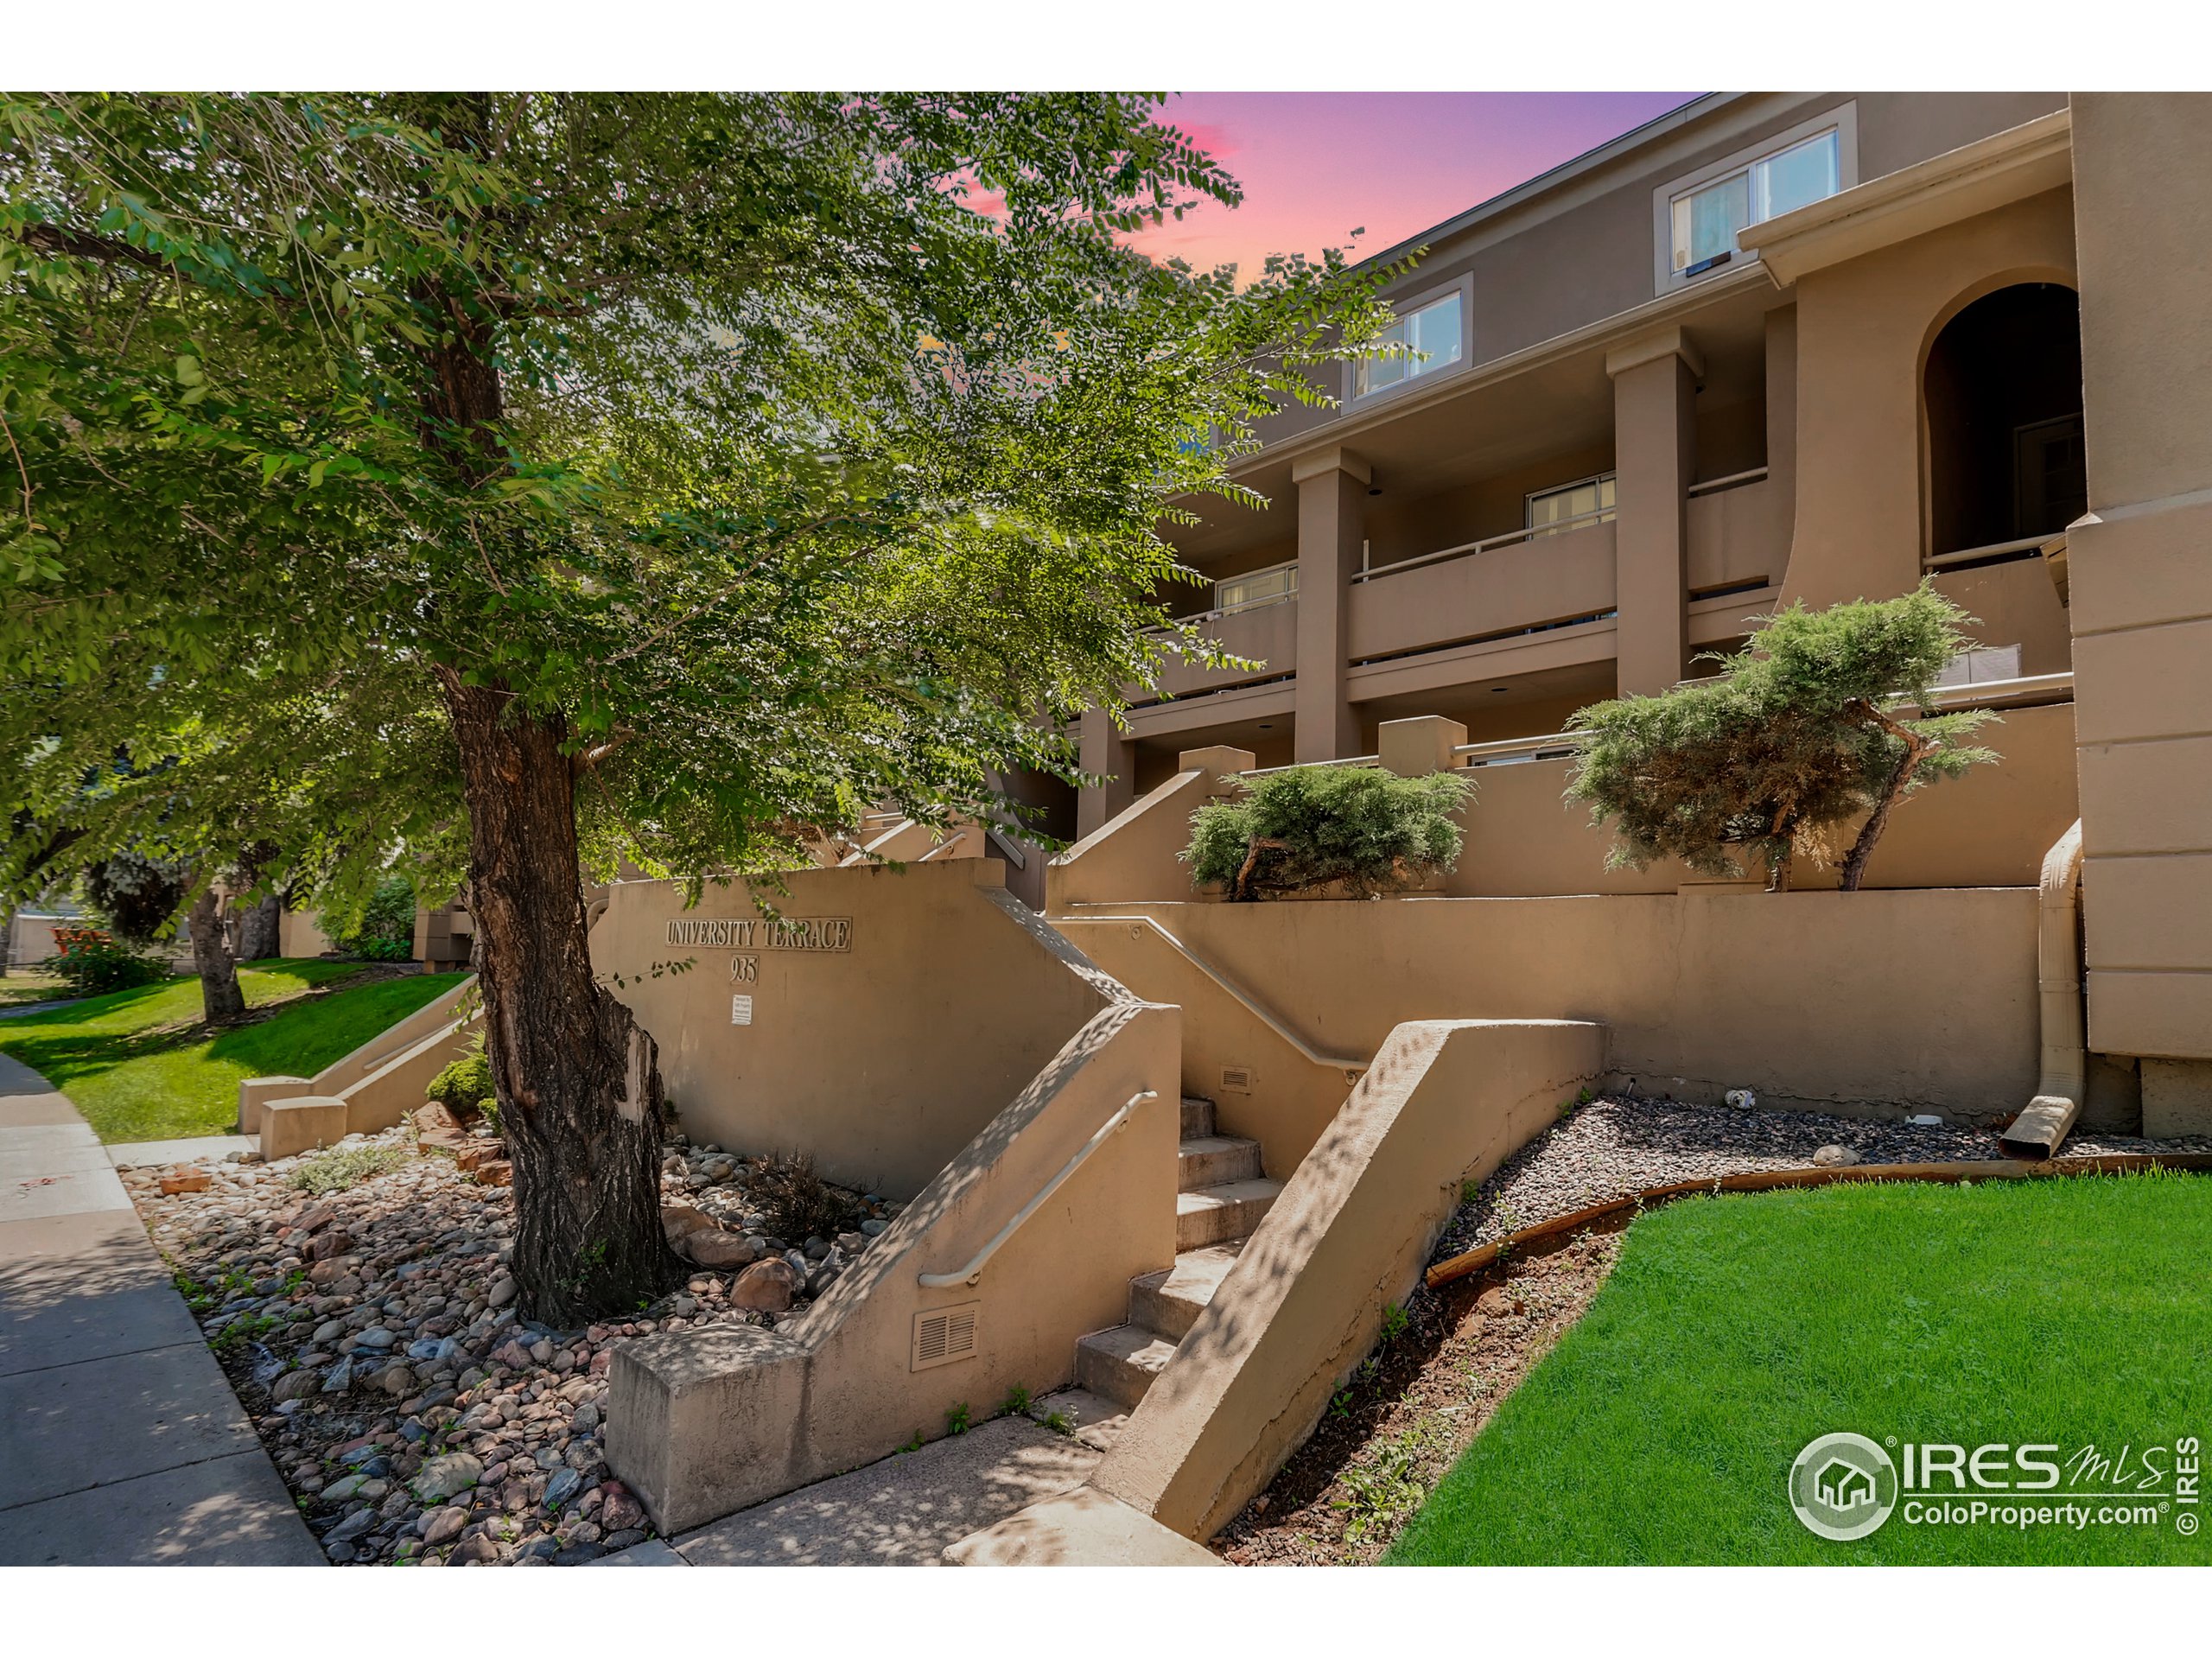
121 1441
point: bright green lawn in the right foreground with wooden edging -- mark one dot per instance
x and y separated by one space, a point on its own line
1735 1331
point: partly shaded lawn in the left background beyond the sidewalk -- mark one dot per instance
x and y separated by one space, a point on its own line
140 1072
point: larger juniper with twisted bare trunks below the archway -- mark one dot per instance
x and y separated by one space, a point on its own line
1804 731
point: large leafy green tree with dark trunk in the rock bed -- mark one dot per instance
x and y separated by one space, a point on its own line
696 470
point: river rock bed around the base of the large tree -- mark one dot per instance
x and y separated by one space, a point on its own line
362 1306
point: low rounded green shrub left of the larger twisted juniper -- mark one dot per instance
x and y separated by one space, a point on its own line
1319 826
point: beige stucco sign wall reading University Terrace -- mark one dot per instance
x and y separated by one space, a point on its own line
881 1061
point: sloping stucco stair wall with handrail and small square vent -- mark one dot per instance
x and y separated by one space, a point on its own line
709 1421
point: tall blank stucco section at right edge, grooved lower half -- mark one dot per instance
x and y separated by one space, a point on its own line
2142 592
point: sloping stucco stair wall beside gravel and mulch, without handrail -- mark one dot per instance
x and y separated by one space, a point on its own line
1350 1233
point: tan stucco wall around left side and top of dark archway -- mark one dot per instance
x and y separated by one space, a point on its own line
1864 331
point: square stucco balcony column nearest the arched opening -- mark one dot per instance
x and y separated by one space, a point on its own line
1656 459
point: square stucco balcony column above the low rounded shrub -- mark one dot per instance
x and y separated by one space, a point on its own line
1333 519
